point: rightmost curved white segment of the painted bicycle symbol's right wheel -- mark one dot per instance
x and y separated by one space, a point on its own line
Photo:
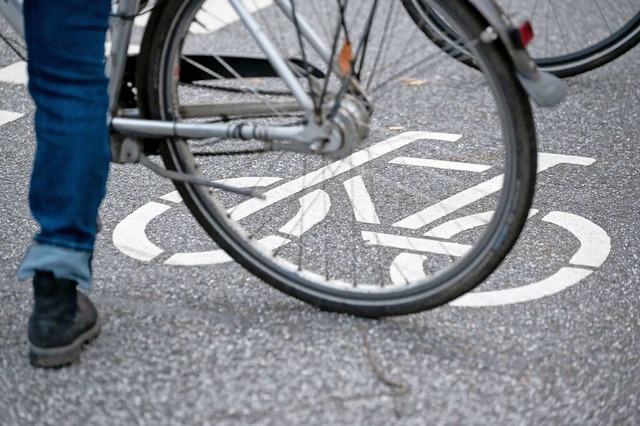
595 244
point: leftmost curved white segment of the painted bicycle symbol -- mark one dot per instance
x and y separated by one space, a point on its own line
129 235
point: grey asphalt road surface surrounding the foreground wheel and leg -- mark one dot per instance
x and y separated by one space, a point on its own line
560 344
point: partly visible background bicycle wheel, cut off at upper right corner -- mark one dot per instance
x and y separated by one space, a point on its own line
572 37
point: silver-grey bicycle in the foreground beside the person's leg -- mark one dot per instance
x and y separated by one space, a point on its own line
293 103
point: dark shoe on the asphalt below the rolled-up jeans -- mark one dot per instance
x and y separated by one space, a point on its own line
63 320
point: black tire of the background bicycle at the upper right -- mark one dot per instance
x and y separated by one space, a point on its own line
567 65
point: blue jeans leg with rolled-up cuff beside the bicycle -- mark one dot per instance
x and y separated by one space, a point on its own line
65 43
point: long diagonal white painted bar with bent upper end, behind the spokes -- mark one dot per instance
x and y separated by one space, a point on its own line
334 169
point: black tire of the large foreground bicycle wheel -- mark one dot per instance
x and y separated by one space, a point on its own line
520 183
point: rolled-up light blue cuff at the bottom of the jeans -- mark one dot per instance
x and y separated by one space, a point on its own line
64 263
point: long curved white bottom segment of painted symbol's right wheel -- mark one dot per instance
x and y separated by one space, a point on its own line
561 280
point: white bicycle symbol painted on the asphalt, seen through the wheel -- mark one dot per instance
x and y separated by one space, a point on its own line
130 234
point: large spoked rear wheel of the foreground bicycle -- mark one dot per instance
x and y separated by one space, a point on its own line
424 211
